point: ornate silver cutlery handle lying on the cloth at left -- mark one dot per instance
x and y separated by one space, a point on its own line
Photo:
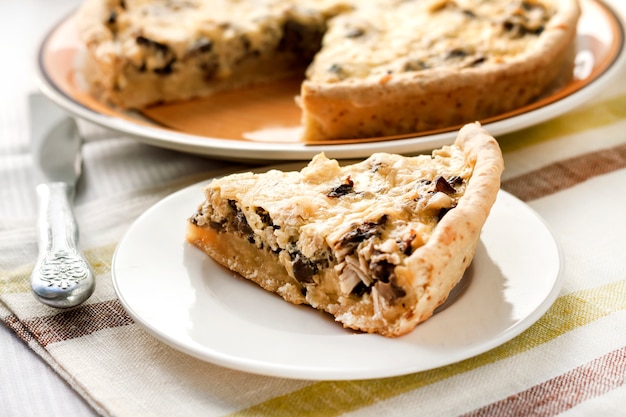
62 277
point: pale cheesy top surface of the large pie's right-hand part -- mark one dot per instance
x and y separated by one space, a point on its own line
415 35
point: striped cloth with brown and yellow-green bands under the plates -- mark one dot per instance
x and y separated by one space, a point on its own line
571 170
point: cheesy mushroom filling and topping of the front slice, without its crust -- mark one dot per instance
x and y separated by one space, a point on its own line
354 219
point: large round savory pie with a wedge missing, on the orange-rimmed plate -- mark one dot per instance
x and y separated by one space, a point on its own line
373 67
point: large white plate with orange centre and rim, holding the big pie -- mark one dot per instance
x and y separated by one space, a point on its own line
264 123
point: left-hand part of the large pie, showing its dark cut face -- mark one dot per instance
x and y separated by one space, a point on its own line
139 67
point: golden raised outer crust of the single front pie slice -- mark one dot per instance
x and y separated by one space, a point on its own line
443 260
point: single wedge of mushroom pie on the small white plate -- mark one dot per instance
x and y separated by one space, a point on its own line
378 244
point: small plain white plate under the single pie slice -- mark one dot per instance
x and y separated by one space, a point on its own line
194 305
